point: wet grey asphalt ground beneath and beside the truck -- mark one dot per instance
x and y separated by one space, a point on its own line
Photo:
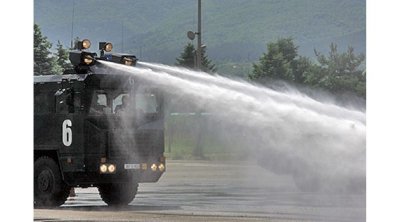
214 191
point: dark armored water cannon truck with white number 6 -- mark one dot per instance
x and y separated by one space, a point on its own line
96 129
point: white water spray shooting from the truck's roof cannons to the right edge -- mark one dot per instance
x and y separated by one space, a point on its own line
319 143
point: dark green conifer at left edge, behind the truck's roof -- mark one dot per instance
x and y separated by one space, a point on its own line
44 61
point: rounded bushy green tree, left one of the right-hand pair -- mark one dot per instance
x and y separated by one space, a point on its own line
281 62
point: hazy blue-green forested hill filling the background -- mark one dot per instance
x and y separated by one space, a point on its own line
233 30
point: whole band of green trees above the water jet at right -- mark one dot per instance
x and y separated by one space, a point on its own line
337 72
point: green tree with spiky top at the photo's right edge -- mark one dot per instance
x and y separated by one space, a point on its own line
340 72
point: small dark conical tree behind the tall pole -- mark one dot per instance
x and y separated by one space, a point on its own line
187 59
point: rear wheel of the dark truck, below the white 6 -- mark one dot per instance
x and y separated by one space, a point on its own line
49 188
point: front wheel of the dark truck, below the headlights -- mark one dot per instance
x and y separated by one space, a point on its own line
118 194
